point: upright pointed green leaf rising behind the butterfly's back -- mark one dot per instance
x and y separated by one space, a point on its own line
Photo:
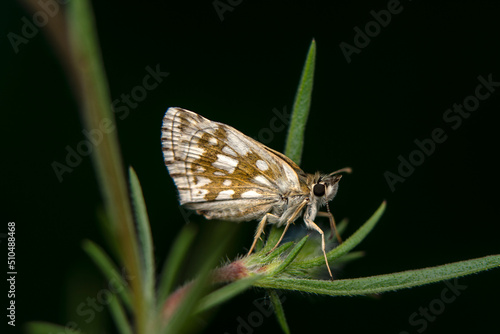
301 106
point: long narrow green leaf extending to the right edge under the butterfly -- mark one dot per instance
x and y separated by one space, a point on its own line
383 283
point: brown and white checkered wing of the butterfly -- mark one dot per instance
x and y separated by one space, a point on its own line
220 171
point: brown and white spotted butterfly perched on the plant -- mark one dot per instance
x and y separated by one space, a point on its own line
223 174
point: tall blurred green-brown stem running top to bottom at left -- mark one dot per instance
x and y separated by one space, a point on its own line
97 116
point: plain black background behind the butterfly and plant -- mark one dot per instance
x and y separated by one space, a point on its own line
364 114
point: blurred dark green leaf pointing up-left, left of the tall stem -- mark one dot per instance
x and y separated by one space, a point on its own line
109 270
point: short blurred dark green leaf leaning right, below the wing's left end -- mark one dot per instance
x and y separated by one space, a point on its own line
173 263
